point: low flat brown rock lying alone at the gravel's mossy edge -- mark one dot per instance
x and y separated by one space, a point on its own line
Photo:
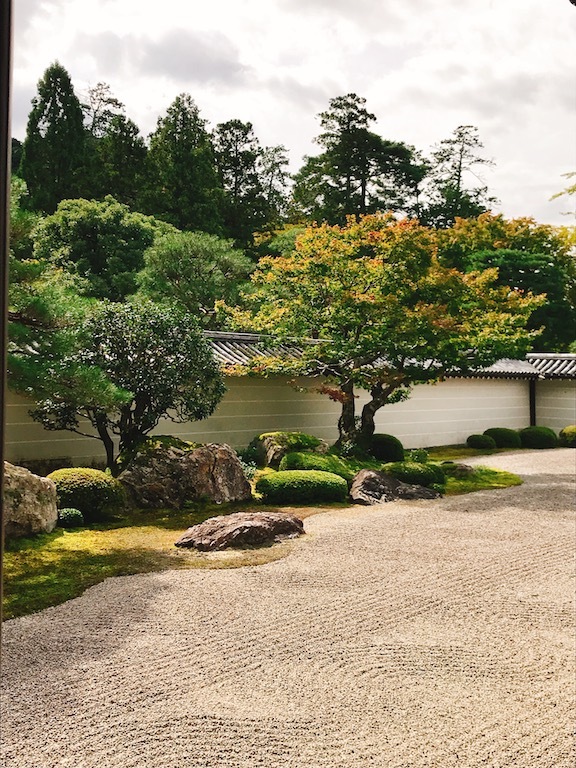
241 529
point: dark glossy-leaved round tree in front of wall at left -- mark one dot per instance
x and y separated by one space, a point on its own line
155 363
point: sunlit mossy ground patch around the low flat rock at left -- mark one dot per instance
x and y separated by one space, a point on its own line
51 568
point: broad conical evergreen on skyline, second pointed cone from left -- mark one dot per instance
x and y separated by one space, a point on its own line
182 185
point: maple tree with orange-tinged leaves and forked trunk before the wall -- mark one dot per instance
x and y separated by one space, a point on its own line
370 307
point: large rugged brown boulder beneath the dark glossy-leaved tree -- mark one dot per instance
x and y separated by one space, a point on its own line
168 476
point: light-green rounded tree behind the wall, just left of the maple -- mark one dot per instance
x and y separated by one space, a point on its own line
194 270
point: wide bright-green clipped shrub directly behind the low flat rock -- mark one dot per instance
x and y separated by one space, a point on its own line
301 487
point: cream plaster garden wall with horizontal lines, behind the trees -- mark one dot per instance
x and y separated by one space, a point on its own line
441 414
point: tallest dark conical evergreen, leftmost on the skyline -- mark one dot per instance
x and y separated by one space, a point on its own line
54 150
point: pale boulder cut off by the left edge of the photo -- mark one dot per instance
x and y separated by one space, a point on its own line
29 502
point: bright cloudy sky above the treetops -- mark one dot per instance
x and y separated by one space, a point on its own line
423 66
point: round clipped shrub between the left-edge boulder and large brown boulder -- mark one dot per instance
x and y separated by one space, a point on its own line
91 491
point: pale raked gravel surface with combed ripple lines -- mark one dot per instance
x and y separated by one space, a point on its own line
408 635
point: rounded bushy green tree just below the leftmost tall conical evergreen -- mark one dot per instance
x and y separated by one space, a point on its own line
100 241
